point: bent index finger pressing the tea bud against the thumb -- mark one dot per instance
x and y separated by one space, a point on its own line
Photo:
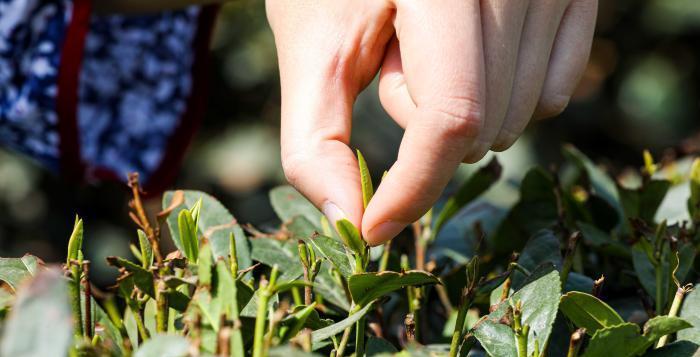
442 59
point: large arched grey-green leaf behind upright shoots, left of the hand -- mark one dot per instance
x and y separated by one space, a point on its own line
215 224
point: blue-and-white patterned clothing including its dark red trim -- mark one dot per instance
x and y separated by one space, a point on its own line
97 97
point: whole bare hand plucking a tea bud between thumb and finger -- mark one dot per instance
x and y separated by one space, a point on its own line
461 76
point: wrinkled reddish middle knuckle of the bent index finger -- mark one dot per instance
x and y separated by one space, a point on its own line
463 116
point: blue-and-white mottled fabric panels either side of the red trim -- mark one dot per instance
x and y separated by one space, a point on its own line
135 79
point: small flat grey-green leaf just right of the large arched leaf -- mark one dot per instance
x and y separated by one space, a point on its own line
283 253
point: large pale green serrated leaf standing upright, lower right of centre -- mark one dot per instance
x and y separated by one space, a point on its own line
540 302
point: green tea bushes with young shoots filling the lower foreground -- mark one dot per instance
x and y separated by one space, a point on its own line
596 273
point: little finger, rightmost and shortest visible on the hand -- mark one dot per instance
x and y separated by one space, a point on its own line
569 57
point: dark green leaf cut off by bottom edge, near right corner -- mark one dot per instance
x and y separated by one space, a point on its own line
622 340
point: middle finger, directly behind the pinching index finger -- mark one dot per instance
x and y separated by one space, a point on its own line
502 24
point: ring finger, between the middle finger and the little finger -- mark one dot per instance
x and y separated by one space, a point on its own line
541 24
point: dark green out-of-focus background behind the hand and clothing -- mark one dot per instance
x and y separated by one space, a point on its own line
640 91
